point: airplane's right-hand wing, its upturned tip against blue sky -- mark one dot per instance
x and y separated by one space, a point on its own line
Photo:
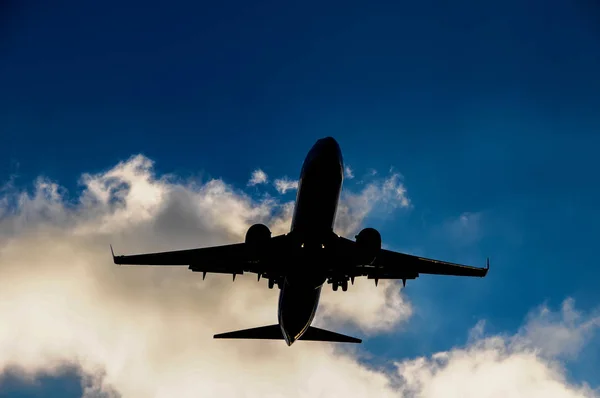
395 265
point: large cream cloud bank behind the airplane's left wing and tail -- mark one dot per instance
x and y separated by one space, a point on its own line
147 331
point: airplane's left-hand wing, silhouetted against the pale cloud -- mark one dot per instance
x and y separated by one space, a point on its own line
234 259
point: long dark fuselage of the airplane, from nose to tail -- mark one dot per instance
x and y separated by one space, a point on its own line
316 205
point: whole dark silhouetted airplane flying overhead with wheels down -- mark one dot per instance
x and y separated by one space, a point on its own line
301 261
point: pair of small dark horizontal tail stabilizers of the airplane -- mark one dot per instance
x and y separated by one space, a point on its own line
273 332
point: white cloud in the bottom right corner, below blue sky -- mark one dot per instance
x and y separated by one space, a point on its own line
523 365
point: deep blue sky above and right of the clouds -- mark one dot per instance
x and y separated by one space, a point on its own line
485 108
